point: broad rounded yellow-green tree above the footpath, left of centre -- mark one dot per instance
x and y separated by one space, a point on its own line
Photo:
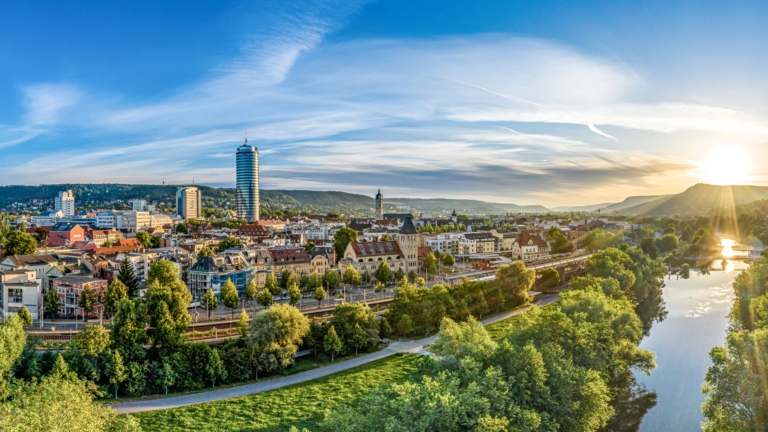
277 334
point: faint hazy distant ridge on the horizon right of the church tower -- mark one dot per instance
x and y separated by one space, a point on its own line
462 205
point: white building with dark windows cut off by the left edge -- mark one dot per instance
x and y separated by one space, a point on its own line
19 288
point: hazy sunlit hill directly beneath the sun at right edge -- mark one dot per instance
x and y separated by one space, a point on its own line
700 199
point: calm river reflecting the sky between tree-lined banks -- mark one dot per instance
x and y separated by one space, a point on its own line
696 322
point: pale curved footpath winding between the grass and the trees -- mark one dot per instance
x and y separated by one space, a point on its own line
276 383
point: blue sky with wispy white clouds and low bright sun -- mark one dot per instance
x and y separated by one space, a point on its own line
531 102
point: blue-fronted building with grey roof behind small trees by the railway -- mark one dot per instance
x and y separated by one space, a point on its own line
211 272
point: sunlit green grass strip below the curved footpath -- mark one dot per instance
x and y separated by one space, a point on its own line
302 405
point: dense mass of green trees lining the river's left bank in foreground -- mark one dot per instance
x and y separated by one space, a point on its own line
556 369
